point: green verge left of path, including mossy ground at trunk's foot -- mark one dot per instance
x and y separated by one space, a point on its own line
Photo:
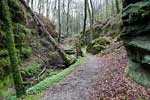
34 93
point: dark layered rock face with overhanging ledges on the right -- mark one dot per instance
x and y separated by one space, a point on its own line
136 37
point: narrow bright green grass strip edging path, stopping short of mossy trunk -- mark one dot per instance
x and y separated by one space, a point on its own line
53 79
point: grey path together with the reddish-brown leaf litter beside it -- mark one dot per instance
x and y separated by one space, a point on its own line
99 78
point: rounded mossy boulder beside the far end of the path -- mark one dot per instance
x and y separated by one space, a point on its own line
97 45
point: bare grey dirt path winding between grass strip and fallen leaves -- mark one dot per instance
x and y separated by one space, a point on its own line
78 84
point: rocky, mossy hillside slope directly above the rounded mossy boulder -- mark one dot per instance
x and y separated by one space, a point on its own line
109 28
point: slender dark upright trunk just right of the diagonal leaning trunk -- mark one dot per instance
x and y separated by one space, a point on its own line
59 23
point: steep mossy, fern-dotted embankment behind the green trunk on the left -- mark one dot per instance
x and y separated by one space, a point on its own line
31 45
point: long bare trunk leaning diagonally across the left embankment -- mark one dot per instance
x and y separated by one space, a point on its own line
44 30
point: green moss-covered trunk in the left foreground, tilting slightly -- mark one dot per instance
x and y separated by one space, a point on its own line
7 27
